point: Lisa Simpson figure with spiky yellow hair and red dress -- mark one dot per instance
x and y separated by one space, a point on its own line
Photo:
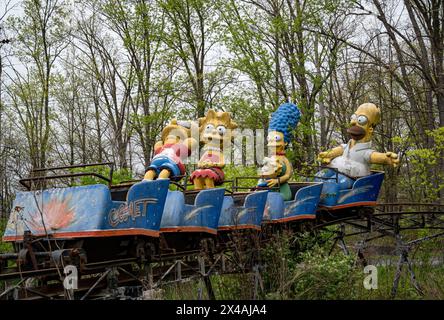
215 129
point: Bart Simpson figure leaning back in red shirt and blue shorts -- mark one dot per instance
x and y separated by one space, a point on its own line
176 145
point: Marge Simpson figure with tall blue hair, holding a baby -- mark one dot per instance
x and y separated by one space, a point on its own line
282 123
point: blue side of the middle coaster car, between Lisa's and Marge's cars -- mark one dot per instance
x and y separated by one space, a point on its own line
249 214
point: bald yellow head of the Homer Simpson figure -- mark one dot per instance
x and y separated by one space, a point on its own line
363 121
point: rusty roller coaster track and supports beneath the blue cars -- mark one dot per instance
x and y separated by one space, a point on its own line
236 252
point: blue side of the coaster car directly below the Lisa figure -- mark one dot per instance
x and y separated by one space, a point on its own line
204 213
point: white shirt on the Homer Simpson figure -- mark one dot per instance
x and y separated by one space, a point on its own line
354 162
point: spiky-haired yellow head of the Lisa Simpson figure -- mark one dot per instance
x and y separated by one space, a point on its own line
216 127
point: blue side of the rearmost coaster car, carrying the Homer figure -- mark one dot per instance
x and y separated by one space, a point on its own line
365 189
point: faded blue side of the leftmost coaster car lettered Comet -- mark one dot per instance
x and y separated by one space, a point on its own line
86 208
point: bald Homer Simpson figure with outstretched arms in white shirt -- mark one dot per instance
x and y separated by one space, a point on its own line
354 158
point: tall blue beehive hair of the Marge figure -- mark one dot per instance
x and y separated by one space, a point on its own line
285 119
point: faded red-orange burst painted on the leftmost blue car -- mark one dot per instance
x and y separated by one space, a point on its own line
57 214
